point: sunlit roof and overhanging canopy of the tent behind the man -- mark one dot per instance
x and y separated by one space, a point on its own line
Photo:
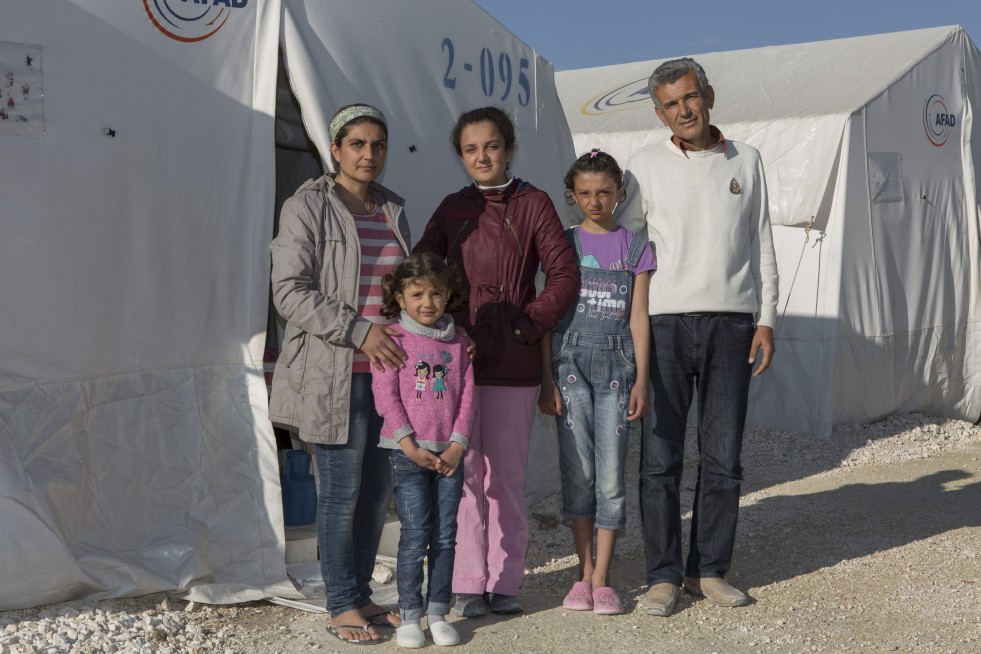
791 102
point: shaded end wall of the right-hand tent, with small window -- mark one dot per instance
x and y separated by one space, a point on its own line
905 329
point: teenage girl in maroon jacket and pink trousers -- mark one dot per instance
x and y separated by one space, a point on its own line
498 232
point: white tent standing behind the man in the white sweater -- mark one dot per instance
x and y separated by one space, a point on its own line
871 138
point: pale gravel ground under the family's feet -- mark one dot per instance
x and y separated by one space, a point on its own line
867 542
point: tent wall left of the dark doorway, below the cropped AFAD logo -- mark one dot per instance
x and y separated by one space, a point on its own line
131 396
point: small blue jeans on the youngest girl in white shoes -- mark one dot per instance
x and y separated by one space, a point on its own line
427 502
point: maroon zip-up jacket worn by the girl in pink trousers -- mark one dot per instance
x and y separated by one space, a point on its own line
498 240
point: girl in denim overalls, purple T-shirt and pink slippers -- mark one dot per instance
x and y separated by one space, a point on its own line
593 360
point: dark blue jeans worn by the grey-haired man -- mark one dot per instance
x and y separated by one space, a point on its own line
710 351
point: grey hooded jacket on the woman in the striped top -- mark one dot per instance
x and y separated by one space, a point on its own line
316 261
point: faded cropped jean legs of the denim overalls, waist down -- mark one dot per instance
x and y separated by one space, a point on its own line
594 373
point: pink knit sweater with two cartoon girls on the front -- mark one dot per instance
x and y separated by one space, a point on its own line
432 397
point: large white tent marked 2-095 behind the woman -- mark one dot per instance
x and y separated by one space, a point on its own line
137 204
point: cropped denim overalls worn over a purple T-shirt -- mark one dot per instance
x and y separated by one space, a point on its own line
594 368
